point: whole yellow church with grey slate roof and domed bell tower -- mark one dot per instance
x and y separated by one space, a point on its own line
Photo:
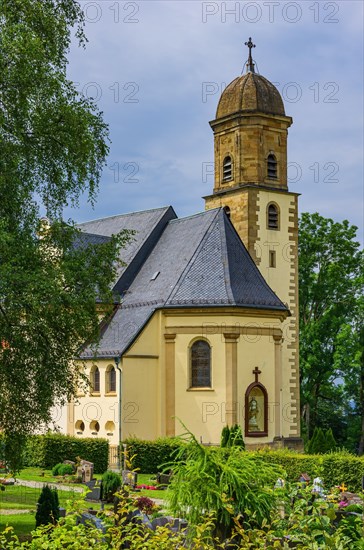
206 329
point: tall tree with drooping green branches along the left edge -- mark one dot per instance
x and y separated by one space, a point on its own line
53 144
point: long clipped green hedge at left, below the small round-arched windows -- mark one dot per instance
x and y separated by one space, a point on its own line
45 451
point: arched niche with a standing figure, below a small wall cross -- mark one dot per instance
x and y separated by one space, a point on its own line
256 410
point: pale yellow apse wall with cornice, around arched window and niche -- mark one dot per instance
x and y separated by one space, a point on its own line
204 412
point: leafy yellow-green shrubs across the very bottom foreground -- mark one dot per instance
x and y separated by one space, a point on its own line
307 524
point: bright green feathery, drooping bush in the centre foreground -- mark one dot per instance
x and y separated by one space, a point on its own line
209 481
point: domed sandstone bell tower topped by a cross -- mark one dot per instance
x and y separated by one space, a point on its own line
250 182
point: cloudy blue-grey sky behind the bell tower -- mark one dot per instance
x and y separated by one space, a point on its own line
157 69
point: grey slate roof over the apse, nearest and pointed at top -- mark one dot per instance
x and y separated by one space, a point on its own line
198 261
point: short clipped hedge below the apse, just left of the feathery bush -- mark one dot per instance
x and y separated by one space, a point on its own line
150 456
